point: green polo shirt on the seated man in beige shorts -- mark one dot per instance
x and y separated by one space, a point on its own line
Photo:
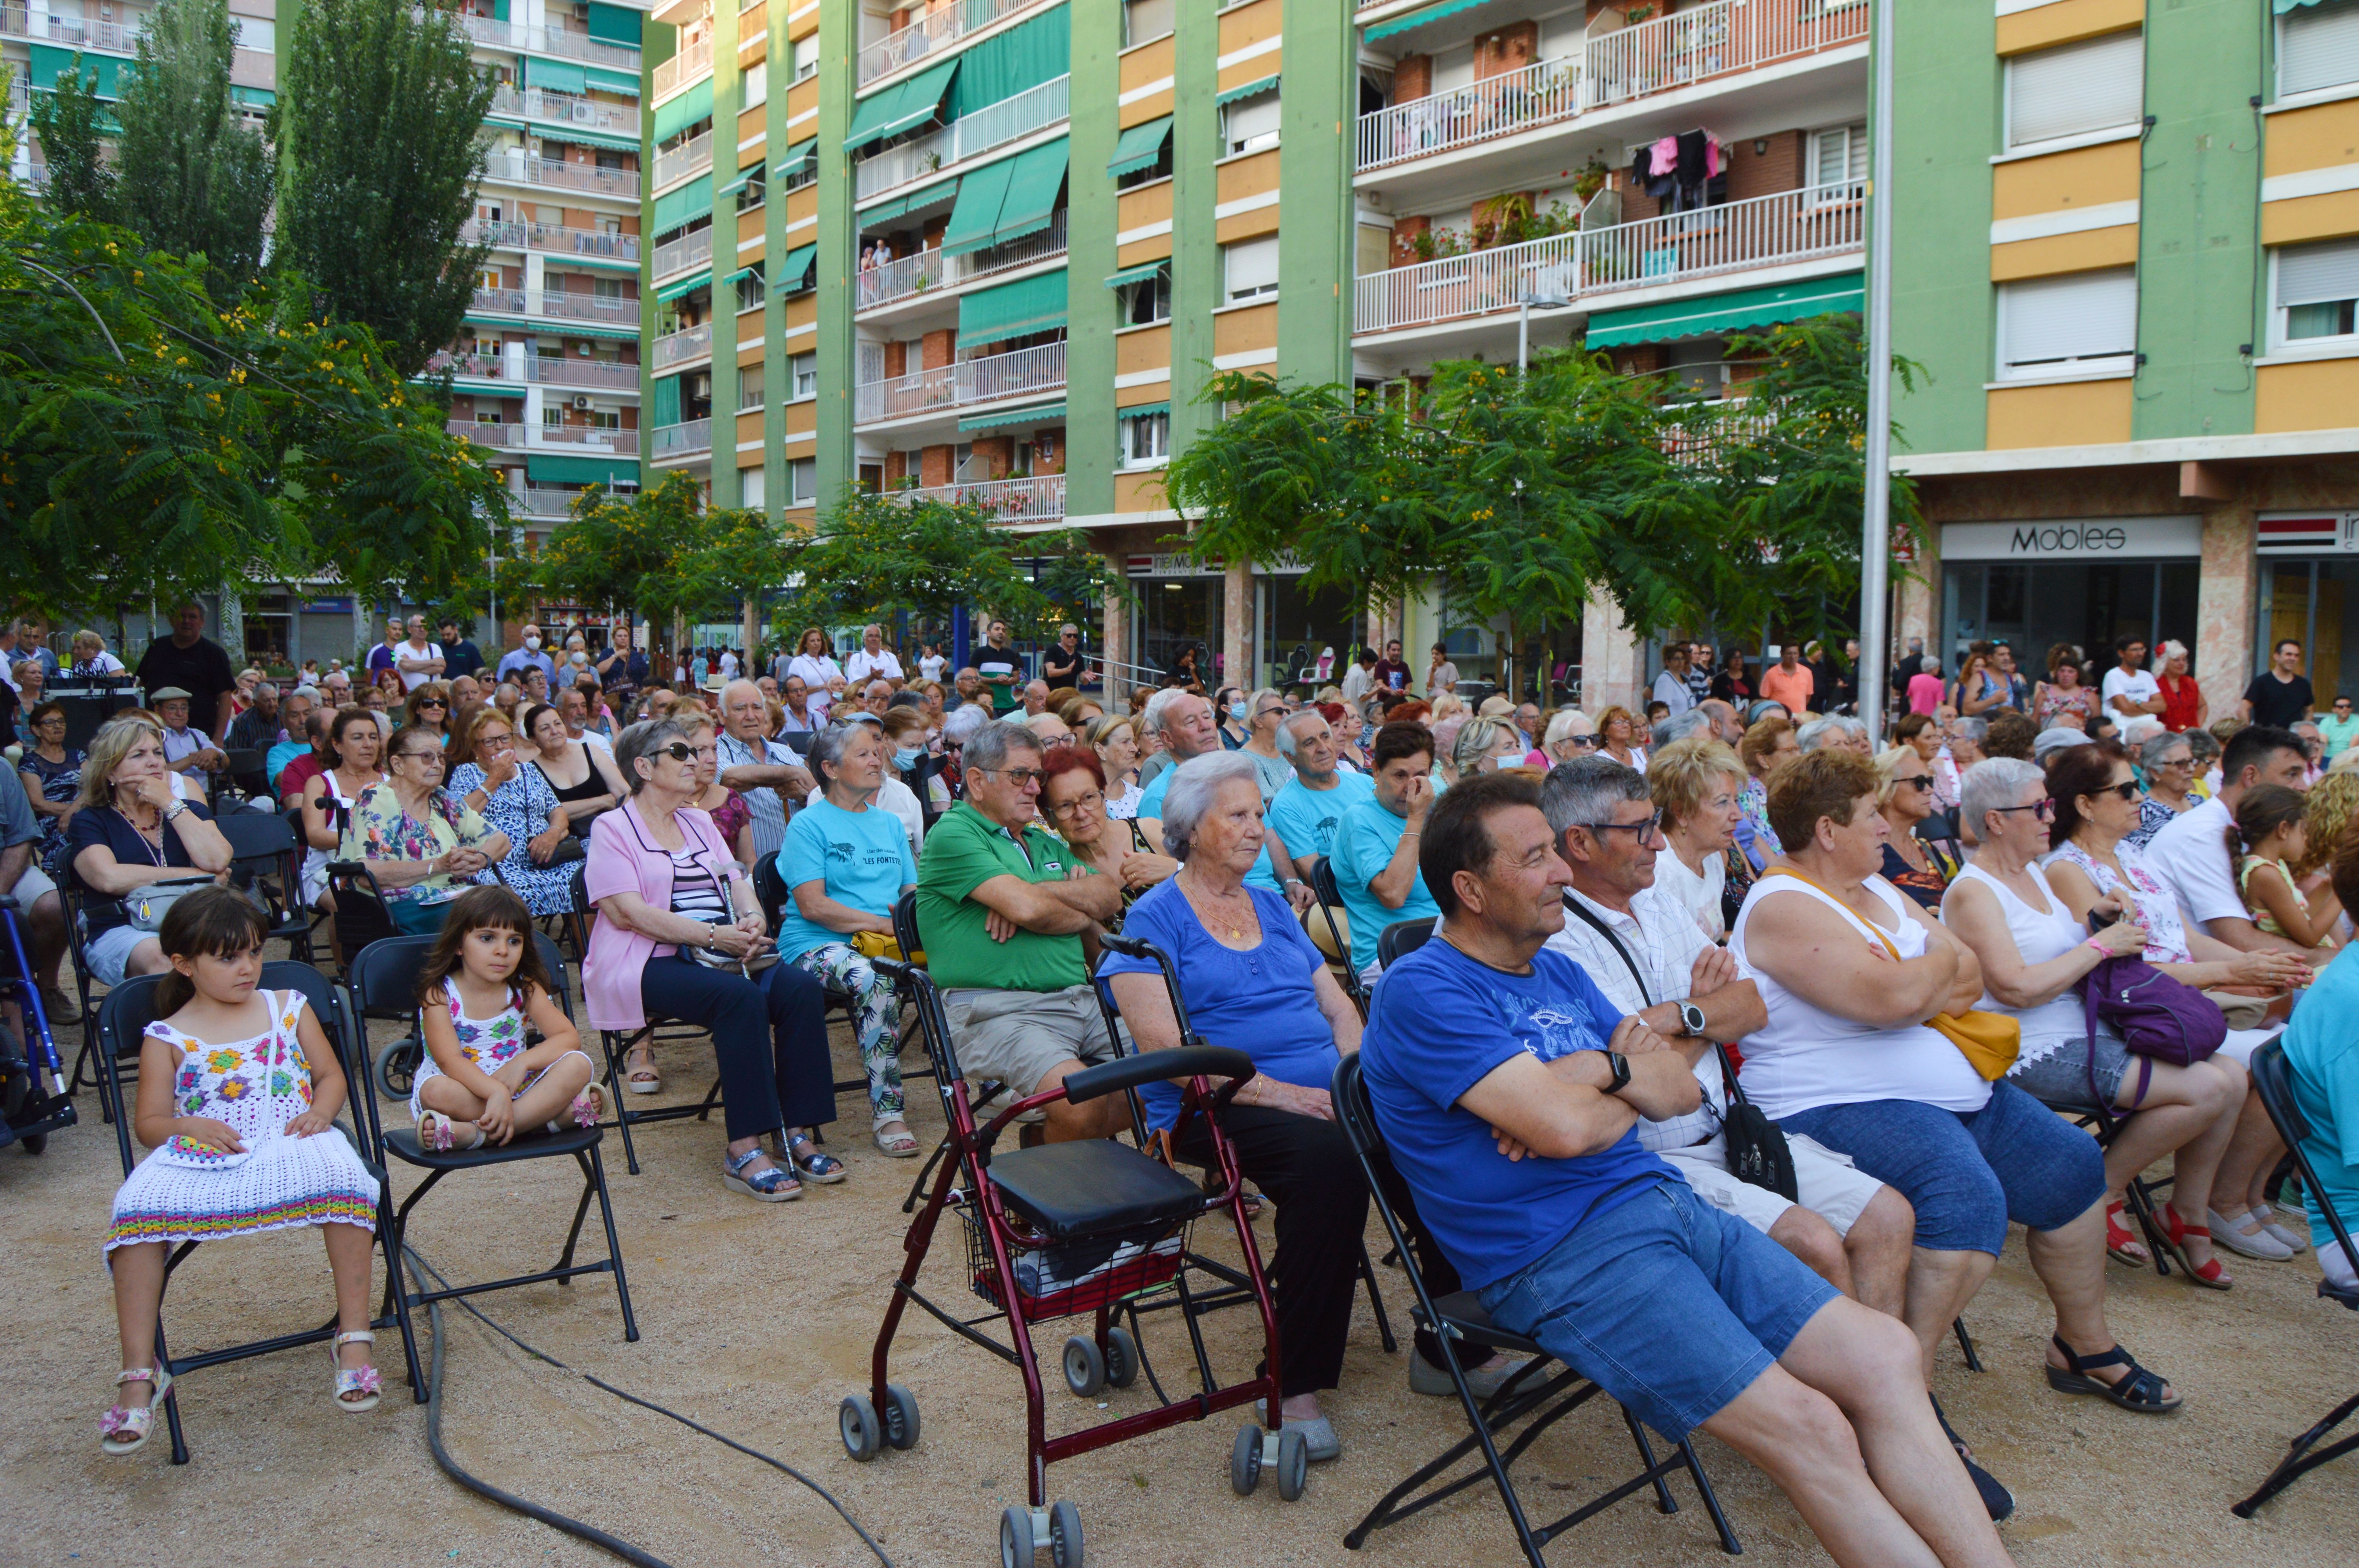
964 852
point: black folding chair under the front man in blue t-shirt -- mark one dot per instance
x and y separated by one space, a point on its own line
1532 1392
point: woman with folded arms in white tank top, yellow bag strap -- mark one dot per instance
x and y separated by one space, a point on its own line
1853 977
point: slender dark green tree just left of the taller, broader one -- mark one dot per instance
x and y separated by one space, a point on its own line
195 178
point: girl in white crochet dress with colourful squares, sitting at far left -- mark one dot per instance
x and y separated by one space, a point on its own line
237 1095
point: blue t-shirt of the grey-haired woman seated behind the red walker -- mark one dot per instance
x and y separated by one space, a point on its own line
1259 1003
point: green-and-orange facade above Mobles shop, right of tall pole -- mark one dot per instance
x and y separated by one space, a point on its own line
2129 261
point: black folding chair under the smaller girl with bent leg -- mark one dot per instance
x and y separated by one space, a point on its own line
383 982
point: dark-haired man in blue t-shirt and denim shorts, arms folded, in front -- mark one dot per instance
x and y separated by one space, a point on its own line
1509 1088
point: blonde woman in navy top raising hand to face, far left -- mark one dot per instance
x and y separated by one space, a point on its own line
133 831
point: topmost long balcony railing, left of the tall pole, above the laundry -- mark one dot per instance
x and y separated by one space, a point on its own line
1645 60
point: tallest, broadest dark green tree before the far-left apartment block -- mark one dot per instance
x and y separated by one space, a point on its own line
381 145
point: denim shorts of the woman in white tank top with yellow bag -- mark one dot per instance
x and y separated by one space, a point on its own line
1969 1175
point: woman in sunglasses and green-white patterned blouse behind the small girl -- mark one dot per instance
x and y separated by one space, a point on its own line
421 845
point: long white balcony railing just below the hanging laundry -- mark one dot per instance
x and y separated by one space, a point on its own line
1655 251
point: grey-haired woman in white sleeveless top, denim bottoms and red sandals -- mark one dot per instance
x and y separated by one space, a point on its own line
2035 954
